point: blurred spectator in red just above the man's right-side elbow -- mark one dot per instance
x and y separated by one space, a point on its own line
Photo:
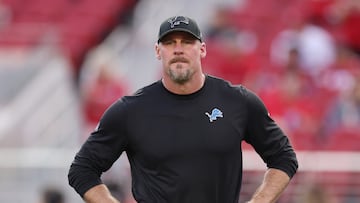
286 91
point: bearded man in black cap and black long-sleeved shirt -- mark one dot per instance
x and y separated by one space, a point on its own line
183 133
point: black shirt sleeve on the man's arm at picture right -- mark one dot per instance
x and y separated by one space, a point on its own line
268 140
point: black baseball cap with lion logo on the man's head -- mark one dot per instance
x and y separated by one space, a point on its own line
179 23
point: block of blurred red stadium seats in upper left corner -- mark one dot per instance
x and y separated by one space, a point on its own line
80 24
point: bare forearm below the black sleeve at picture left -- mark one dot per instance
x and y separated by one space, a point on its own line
99 194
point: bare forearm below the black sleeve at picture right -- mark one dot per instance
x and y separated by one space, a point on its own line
274 183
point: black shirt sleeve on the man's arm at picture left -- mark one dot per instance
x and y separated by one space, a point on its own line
103 147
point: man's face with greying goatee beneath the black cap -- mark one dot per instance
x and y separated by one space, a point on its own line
181 54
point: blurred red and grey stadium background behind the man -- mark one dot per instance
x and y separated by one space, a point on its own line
62 62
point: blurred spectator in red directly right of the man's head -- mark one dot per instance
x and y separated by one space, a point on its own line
230 50
